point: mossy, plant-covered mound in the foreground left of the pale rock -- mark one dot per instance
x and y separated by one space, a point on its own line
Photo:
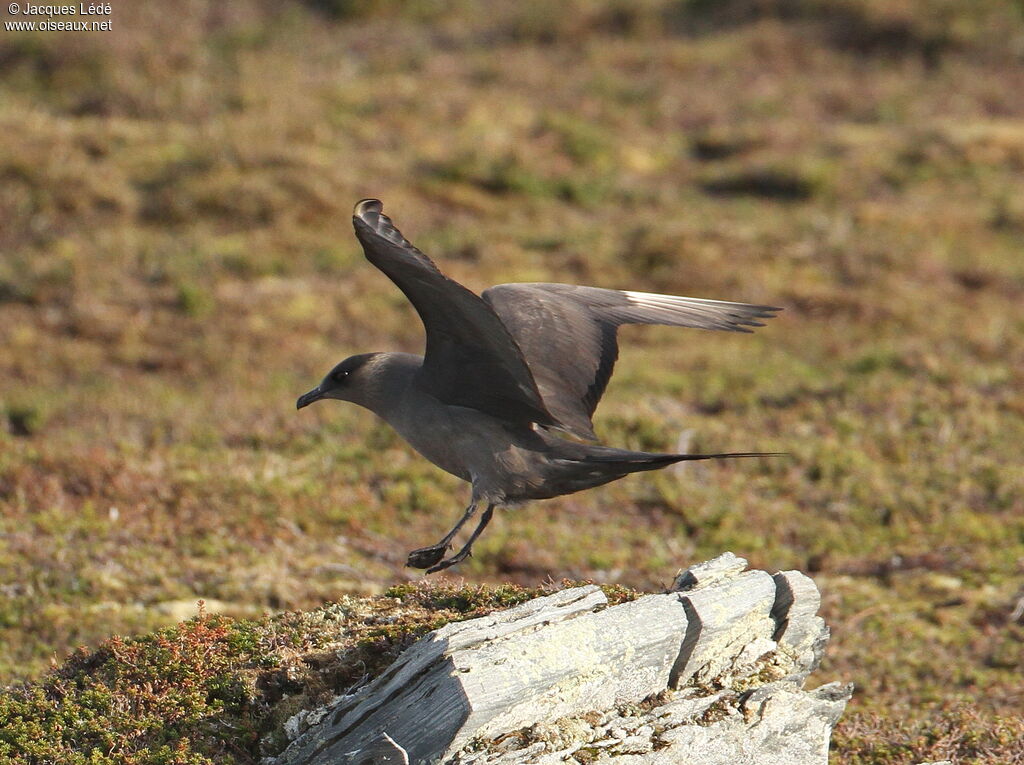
219 691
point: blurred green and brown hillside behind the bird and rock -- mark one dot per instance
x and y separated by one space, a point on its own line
178 266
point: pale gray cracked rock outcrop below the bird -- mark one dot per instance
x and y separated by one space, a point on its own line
711 672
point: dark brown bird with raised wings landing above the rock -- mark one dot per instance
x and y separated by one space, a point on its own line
504 370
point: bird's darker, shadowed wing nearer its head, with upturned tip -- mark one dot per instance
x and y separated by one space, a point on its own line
472 360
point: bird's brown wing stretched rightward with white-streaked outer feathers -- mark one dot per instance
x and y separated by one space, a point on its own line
569 335
